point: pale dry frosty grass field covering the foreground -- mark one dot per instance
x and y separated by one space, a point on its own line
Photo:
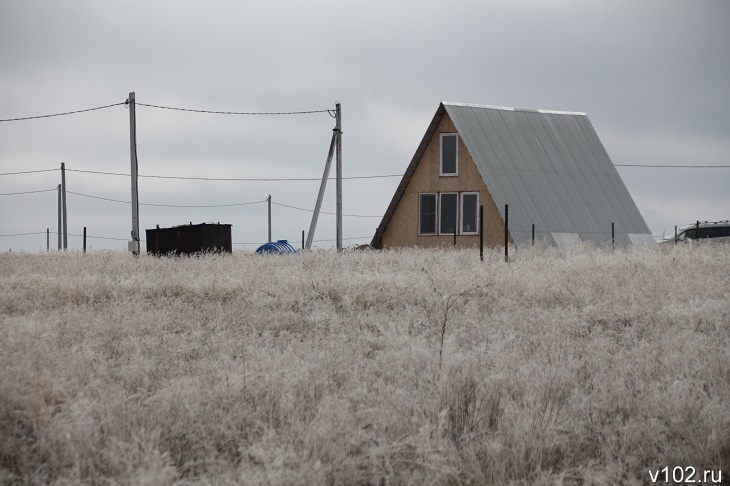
575 367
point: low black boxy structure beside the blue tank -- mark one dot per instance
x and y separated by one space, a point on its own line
188 239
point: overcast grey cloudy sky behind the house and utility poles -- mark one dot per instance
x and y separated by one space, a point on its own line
652 76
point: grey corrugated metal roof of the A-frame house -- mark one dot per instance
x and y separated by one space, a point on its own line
549 166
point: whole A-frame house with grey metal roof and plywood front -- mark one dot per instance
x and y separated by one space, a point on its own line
548 166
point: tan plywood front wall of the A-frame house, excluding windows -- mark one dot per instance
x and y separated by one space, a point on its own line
402 231
